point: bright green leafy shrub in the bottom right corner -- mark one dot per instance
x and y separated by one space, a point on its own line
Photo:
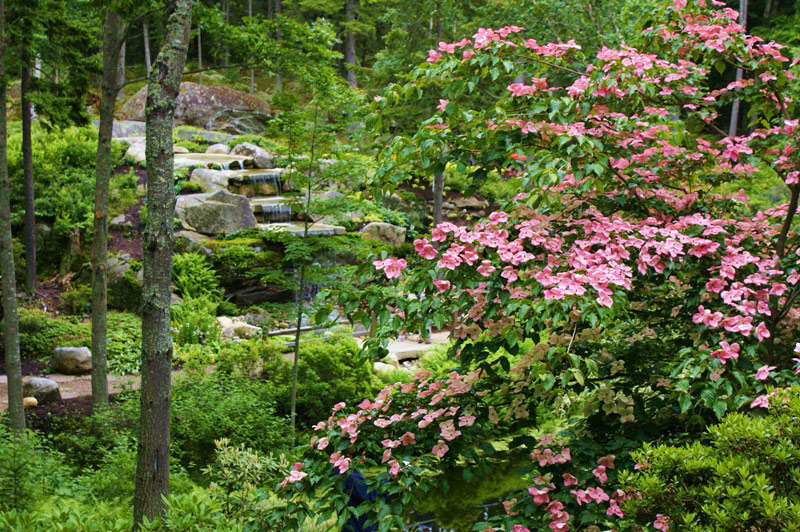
747 477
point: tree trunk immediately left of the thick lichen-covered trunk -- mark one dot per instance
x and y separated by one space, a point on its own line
112 34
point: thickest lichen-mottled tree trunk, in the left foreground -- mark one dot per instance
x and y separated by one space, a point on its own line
152 465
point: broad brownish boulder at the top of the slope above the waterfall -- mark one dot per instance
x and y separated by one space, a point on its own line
208 107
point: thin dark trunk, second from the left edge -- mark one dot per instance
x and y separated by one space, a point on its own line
27 165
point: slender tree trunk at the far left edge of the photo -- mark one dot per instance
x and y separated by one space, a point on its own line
10 321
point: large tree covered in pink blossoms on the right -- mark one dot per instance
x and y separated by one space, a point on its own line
620 279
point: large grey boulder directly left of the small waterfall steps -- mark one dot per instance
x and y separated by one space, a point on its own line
215 213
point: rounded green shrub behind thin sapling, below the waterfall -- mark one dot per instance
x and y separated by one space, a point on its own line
329 371
